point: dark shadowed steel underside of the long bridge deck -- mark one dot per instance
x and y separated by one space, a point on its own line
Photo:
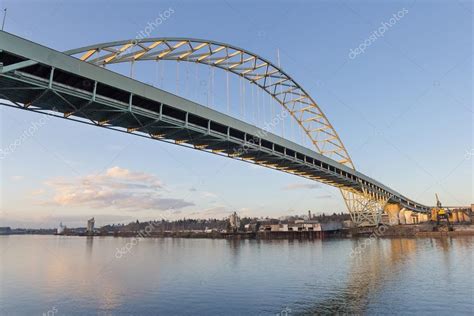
164 123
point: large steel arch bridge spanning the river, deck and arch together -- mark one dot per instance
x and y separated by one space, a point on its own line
76 85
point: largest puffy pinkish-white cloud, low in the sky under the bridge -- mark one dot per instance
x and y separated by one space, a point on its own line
117 188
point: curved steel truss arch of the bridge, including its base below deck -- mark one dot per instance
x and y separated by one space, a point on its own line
364 208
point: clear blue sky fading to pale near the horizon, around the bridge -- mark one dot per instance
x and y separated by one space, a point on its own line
401 102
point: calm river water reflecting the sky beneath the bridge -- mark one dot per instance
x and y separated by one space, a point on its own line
55 275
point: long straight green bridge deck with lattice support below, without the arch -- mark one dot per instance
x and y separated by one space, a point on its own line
39 79
